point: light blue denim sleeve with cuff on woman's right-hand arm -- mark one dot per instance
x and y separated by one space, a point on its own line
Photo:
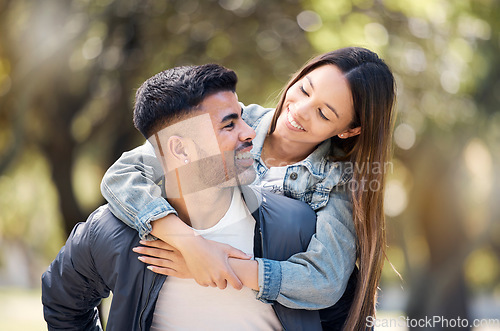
317 278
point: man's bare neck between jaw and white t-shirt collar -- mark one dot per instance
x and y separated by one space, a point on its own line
203 209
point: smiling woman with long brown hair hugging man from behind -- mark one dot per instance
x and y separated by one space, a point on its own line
331 127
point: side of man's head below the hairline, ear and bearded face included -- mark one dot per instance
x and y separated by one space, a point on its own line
215 148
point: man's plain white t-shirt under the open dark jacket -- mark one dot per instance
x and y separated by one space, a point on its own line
185 305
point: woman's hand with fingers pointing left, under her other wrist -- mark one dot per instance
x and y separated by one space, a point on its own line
163 258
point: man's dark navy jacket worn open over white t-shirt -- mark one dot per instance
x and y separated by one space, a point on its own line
98 258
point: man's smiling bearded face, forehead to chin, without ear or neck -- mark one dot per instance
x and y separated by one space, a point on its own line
221 163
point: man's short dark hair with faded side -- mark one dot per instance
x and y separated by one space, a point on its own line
174 93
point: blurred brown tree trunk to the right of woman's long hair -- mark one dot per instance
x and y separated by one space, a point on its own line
439 292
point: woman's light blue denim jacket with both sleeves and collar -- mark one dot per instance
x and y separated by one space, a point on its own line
313 279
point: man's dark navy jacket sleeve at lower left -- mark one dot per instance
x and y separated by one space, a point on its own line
71 286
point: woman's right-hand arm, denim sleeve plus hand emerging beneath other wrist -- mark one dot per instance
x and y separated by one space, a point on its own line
314 279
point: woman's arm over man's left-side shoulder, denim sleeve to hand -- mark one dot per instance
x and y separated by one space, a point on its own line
130 187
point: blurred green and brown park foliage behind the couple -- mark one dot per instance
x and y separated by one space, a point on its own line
69 69
